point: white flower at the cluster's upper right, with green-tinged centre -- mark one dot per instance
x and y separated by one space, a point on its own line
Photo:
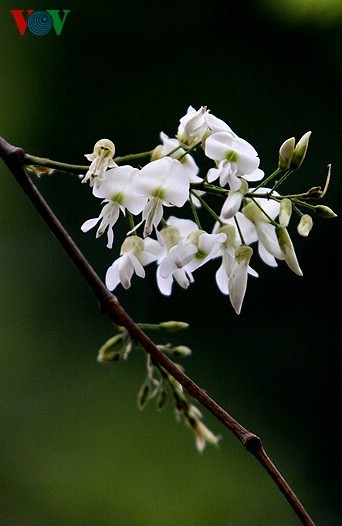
234 157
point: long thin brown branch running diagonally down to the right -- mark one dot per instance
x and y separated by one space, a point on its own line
15 158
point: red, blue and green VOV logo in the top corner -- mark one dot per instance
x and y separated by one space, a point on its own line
40 22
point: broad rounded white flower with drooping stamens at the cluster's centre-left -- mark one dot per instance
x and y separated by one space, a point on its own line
162 182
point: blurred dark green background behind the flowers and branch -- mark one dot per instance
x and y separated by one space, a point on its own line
74 448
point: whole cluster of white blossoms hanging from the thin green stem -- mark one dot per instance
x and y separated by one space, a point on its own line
171 179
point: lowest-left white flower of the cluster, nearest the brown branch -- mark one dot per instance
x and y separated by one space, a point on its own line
135 254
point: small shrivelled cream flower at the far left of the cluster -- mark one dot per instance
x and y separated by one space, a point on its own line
102 159
